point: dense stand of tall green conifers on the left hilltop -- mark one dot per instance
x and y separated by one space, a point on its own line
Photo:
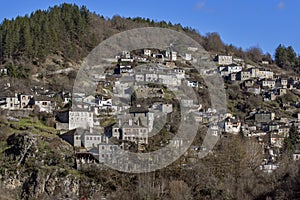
61 28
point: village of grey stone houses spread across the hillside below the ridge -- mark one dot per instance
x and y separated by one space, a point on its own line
97 126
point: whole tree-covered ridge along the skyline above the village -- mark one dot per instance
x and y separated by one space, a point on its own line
74 31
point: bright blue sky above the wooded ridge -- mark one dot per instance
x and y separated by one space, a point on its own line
259 23
